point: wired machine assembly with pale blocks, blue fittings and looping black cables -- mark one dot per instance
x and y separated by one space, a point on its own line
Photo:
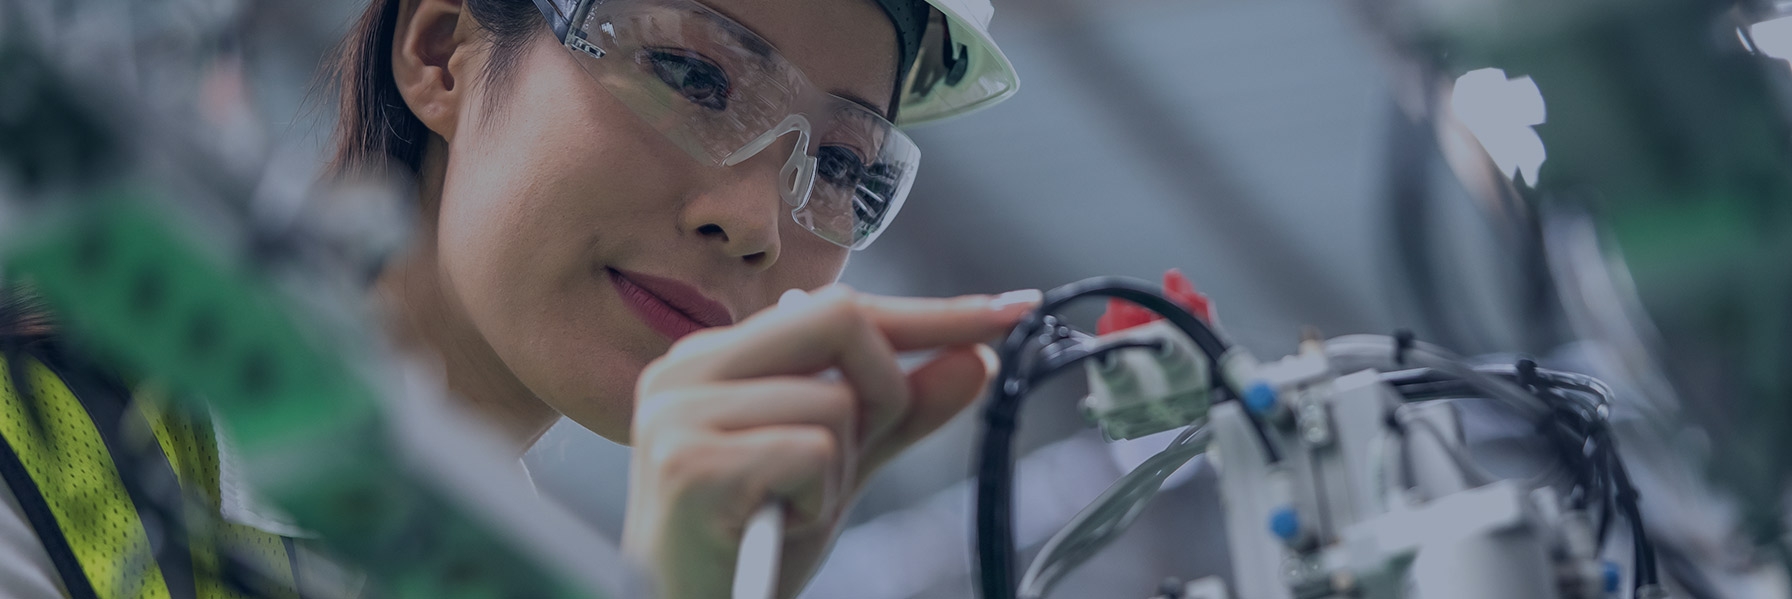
1295 426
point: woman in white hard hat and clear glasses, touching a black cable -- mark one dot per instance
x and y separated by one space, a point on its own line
616 195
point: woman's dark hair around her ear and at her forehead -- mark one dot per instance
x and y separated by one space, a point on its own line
375 128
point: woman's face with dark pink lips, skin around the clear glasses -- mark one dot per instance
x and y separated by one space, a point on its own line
567 225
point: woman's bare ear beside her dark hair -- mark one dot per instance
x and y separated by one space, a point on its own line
431 60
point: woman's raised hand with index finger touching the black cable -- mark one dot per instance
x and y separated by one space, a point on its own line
736 417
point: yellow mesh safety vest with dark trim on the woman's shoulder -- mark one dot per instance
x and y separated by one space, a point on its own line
67 431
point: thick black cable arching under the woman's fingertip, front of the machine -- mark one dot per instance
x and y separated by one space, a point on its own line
1021 372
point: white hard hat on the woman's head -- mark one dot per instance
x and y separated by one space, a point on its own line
960 69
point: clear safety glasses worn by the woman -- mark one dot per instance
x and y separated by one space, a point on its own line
725 94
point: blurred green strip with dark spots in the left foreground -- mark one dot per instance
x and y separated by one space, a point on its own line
130 290
